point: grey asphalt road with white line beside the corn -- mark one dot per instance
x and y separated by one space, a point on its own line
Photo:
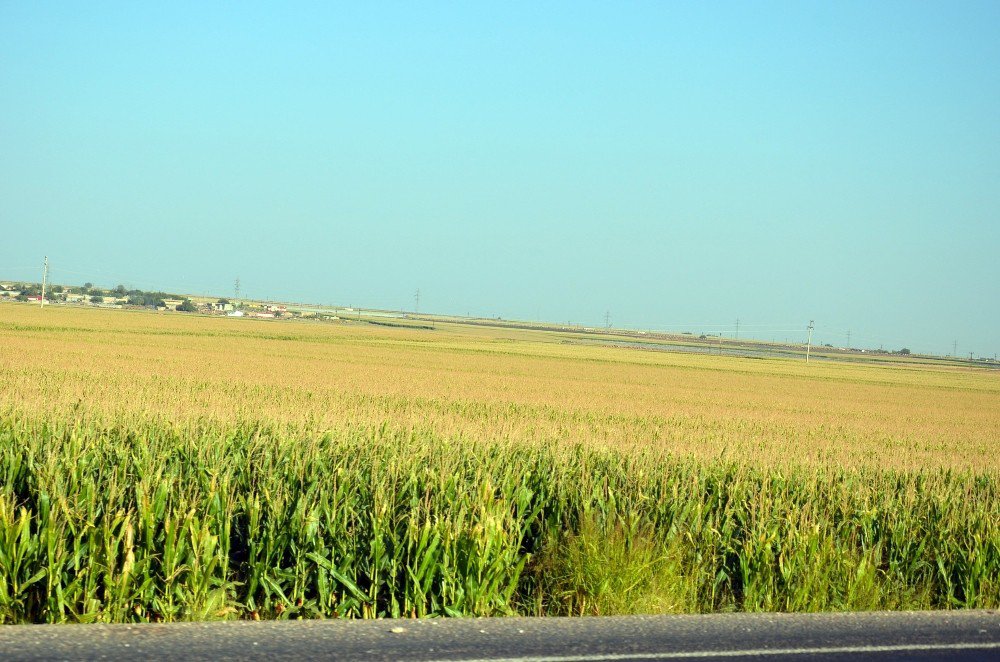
971 635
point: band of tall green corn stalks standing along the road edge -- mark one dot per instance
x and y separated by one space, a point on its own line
148 520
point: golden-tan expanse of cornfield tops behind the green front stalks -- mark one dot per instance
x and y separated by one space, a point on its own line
498 384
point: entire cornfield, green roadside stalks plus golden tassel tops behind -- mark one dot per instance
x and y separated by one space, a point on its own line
163 467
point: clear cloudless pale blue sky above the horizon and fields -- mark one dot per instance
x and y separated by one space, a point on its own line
677 164
